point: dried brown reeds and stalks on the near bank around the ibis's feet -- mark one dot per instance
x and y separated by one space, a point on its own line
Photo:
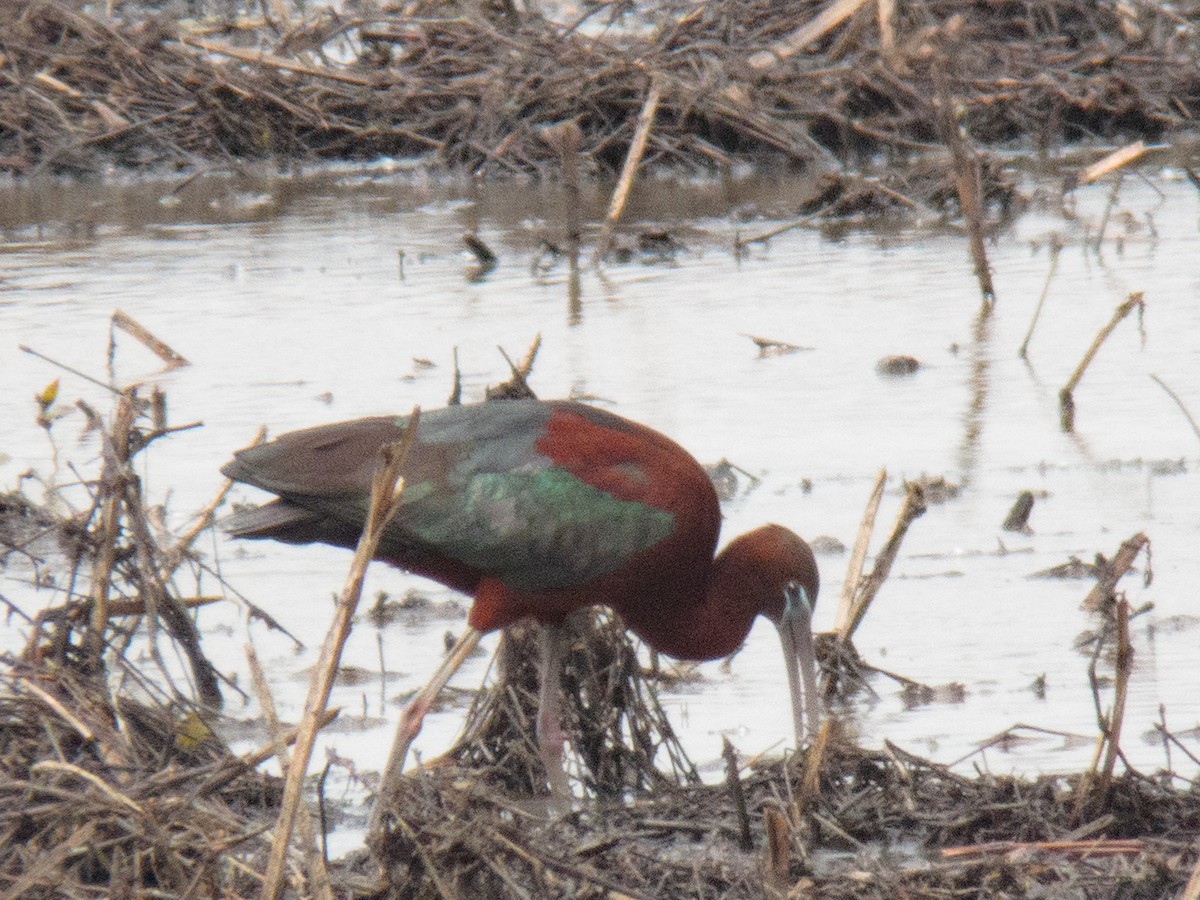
113 784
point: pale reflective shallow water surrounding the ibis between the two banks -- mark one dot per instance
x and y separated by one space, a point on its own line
301 303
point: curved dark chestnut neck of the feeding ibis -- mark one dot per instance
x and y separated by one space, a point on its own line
709 622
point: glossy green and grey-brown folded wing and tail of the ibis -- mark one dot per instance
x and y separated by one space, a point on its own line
478 493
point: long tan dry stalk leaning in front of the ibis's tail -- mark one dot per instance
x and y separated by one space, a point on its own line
387 488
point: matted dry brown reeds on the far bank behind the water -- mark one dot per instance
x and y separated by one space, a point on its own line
475 87
